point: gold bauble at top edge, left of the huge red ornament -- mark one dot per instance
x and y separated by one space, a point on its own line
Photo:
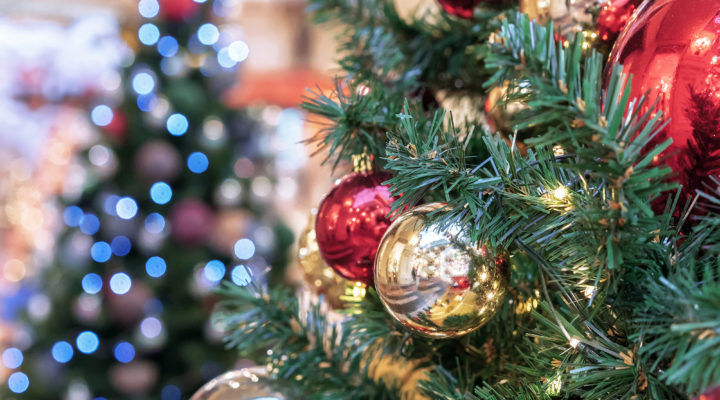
567 15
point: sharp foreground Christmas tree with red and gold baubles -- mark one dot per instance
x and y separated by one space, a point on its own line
541 242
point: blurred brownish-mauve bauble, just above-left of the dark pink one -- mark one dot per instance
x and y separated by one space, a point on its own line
157 160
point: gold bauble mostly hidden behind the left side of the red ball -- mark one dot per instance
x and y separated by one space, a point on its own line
320 278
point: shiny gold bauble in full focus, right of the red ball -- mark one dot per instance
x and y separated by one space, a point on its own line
433 280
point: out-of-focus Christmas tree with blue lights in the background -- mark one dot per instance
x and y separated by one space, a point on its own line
176 202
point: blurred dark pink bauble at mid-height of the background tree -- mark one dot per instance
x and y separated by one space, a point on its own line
192 222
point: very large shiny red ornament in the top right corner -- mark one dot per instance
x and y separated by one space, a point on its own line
672 49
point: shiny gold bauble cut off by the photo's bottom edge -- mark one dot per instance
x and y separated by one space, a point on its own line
243 384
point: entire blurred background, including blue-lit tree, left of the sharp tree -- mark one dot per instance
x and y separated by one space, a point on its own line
149 150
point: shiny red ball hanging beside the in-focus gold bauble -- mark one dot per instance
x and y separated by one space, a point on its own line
351 220
